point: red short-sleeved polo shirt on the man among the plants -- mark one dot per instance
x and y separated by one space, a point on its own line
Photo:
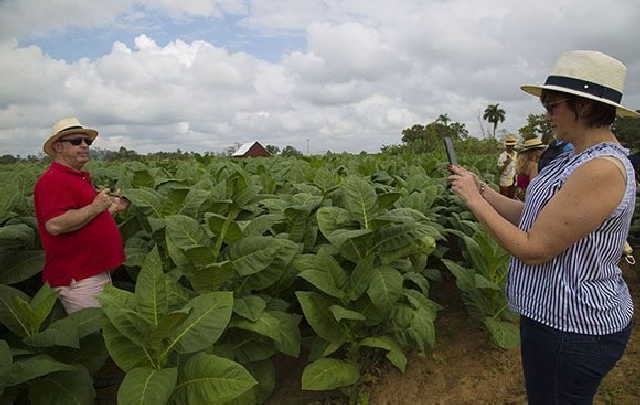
92 249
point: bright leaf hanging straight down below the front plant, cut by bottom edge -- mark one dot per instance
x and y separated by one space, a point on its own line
147 386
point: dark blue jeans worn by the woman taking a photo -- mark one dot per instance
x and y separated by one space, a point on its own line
562 368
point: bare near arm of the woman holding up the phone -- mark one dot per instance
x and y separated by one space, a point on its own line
587 198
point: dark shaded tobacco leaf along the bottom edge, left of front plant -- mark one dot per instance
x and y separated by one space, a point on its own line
63 388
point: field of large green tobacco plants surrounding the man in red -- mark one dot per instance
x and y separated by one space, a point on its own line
233 263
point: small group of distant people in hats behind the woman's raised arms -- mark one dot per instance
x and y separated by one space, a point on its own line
517 168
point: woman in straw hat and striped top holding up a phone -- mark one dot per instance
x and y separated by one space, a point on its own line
566 239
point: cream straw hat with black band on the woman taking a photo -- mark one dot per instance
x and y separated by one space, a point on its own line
588 74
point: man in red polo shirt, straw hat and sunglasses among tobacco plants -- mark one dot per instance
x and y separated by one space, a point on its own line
81 240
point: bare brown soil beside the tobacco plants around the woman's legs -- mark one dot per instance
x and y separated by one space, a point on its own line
465 368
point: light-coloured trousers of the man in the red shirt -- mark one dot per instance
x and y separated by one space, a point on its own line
82 294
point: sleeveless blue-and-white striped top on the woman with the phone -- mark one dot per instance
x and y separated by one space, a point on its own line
581 290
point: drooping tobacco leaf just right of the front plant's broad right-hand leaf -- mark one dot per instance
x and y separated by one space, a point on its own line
279 326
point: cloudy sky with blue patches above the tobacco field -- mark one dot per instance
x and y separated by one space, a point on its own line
347 75
